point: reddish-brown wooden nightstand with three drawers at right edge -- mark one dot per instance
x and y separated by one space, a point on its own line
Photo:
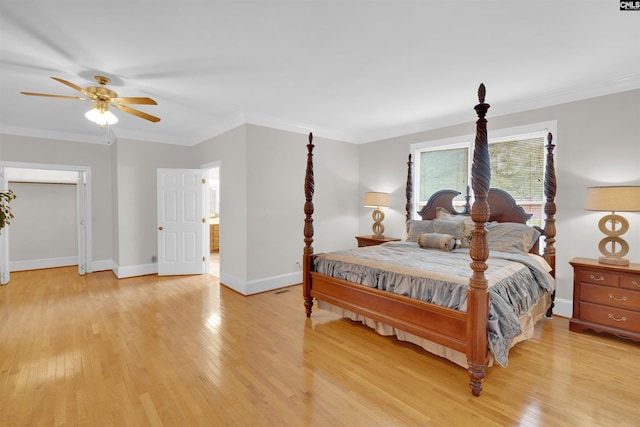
606 298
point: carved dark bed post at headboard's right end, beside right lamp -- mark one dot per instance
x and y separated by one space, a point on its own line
549 252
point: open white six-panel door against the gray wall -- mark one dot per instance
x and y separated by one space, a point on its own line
182 247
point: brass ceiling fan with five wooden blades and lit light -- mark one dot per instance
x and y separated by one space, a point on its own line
103 97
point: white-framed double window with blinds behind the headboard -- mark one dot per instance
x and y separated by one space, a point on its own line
517 166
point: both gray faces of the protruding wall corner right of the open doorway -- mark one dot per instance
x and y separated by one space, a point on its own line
262 200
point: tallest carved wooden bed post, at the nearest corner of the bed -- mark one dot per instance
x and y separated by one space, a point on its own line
478 296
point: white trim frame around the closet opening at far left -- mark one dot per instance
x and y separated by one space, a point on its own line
83 208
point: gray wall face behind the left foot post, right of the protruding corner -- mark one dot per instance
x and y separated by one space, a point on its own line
276 198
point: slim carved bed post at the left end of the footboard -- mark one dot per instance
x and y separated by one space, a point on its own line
307 257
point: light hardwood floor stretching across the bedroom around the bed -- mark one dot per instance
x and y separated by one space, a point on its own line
185 351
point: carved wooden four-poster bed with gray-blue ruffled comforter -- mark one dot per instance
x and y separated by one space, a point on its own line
467 325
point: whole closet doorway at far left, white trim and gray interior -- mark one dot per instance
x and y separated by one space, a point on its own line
55 227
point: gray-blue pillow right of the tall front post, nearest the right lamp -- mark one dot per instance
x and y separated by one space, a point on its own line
511 237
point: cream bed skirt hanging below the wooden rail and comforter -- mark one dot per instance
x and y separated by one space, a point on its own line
527 321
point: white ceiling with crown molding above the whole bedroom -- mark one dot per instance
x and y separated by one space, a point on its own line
356 71
